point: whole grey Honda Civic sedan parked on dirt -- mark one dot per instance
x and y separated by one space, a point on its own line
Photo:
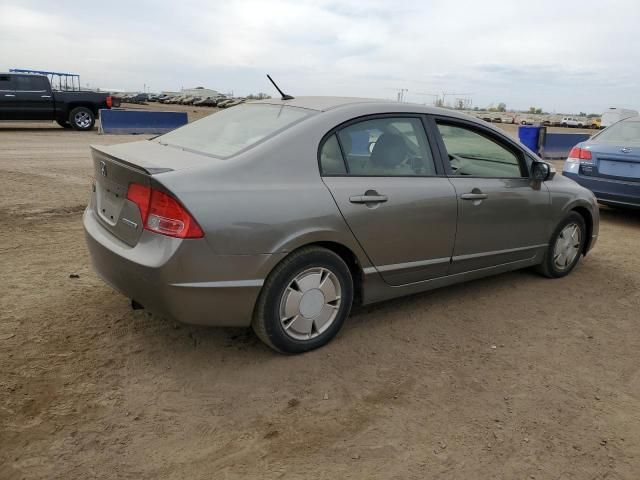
283 214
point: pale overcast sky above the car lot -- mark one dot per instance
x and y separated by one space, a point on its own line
561 55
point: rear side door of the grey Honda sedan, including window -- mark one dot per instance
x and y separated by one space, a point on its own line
393 194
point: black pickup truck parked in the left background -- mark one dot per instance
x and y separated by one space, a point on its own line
30 97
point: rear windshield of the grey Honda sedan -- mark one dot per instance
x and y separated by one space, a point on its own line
226 133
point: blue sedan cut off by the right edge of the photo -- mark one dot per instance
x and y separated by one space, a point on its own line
608 164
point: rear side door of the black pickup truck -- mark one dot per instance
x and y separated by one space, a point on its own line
34 98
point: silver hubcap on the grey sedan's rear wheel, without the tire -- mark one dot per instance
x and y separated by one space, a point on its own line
310 303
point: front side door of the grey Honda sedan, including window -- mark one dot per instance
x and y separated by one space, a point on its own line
503 216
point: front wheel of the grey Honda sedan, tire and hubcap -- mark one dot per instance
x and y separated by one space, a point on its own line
566 246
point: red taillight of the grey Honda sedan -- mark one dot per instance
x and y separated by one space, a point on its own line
162 213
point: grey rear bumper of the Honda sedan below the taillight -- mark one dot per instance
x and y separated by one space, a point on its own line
179 279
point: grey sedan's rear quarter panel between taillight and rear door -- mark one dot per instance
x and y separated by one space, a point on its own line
268 200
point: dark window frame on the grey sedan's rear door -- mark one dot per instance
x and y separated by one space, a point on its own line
434 150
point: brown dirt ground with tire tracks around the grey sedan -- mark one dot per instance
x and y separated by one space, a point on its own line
512 377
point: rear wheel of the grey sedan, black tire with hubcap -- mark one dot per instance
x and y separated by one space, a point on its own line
304 301
